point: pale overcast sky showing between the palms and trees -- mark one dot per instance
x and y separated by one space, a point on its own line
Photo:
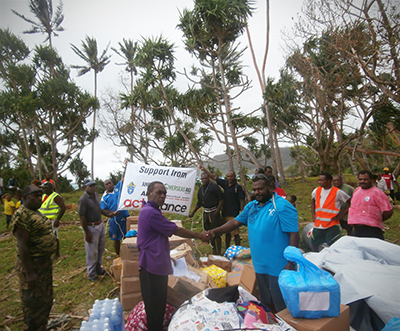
111 21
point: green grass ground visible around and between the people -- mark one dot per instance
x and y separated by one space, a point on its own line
74 294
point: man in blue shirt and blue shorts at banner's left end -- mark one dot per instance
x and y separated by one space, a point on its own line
109 201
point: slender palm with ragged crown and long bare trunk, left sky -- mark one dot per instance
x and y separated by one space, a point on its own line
89 54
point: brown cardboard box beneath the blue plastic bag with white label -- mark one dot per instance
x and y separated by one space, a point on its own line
340 323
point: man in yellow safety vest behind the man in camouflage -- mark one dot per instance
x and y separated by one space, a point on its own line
53 207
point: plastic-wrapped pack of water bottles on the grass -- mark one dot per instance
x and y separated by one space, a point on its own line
106 315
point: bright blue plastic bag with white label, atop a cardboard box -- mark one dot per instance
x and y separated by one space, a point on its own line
309 292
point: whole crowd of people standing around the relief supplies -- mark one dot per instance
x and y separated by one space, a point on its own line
270 217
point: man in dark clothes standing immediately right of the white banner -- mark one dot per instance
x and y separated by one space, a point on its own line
210 197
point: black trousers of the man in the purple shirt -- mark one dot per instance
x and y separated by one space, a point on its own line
154 293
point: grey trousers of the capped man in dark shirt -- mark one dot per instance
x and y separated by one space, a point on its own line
95 250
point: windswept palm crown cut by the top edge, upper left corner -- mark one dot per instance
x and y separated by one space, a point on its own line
47 22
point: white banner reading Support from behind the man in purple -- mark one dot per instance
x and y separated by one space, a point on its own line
179 183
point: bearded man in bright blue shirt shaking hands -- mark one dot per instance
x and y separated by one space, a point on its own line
272 224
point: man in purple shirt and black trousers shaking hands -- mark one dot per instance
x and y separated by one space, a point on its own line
154 253
